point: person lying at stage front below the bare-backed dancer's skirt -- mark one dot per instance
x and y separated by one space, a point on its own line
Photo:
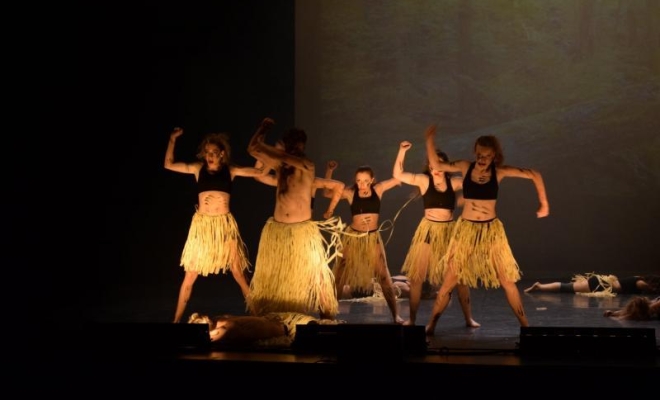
270 330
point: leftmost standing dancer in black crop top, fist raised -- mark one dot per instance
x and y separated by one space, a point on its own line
214 243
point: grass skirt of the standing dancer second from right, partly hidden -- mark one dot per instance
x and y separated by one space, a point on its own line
435 234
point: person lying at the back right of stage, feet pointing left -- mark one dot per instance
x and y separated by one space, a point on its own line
597 285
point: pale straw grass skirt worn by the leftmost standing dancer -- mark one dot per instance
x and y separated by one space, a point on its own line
213 242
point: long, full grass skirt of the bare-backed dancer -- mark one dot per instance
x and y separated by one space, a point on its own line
291 271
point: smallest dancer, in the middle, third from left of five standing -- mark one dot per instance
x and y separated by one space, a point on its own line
363 255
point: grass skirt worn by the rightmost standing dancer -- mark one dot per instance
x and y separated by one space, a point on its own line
479 254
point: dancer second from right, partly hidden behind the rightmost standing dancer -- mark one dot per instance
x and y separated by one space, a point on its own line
429 243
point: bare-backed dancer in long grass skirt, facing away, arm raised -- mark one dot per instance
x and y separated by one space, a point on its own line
291 269
